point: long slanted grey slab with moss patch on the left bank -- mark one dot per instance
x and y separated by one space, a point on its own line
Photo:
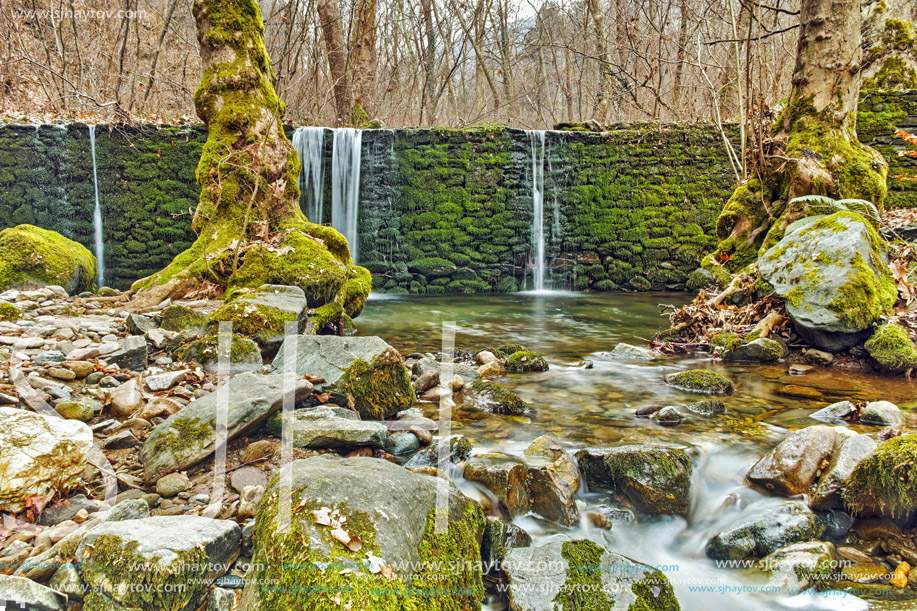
190 434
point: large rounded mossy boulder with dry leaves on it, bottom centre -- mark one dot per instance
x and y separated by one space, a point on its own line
374 518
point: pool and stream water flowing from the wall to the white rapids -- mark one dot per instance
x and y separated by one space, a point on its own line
595 407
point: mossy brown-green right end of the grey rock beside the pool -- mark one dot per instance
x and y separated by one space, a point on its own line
380 388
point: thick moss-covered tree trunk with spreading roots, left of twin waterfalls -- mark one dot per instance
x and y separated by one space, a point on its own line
250 228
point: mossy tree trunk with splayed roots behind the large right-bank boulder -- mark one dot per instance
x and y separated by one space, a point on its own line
814 148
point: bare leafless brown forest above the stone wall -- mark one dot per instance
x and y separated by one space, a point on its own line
525 63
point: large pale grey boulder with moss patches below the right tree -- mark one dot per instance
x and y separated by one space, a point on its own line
833 276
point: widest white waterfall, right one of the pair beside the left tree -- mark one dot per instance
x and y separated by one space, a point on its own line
345 185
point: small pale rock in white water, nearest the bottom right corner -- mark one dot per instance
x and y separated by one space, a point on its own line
799 566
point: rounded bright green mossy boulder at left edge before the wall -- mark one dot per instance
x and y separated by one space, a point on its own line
31 257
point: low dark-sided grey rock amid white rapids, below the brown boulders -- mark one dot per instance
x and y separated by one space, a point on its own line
764 527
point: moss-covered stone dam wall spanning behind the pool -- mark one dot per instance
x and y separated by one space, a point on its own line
438 210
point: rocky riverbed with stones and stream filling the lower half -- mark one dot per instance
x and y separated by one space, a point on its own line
572 475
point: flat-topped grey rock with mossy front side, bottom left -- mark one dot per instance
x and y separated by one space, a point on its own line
184 552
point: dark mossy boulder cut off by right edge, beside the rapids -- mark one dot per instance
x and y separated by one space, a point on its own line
885 482
